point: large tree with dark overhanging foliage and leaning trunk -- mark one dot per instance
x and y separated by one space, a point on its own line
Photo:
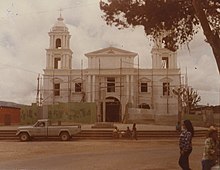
180 19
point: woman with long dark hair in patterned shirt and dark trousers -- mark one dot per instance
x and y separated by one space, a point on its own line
185 144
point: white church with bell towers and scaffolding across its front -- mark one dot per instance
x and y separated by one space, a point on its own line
111 79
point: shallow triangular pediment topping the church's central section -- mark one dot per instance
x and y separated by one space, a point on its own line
111 51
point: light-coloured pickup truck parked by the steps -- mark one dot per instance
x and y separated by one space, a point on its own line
43 128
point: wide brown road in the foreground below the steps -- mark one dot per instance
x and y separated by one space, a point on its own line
96 155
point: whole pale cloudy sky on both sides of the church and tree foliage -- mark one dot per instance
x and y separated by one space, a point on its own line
24 37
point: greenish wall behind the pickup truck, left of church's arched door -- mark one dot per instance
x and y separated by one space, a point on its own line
64 112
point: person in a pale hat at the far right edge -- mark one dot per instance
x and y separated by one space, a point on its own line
209 158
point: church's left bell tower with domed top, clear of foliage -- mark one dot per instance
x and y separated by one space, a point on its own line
59 54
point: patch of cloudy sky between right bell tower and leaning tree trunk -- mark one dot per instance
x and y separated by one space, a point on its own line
201 69
